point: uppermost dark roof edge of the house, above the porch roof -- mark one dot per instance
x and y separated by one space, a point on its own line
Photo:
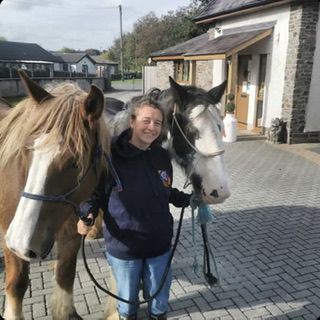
218 8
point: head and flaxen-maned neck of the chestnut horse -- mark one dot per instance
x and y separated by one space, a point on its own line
56 159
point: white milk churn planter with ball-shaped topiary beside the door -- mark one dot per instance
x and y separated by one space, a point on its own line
229 121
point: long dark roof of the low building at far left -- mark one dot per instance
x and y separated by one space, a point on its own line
19 51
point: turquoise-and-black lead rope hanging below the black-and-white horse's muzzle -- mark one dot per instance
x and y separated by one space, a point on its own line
204 216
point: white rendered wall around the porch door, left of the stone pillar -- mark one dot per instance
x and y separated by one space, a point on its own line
276 49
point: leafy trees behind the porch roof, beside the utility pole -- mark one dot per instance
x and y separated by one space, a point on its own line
151 34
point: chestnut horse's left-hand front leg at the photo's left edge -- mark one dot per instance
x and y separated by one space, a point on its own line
16 281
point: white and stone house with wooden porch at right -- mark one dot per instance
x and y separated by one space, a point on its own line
269 50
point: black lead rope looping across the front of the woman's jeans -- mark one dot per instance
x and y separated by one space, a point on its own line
164 276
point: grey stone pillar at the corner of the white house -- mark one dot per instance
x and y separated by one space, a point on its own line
301 48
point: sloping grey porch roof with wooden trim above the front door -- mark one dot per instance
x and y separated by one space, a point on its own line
231 40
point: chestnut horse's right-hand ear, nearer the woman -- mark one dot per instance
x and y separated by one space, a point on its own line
93 105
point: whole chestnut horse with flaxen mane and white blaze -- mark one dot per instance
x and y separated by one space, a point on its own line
51 155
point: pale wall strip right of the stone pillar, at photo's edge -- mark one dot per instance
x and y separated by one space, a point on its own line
313 106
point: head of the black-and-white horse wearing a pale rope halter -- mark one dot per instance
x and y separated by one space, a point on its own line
195 135
